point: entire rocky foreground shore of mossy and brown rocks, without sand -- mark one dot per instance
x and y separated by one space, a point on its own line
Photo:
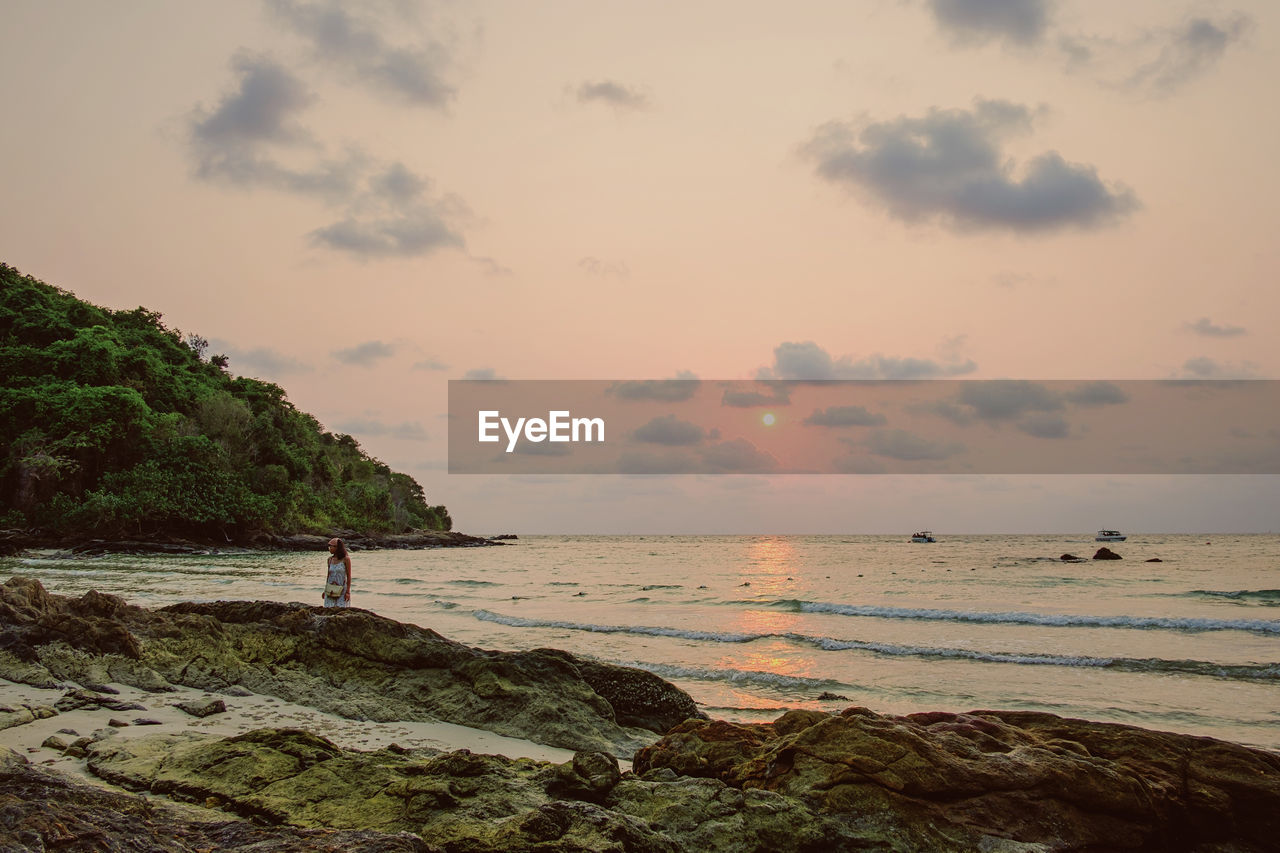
810 782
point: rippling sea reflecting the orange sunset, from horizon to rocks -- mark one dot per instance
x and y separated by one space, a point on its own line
753 626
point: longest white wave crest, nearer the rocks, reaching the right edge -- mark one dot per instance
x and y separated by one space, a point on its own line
1231 672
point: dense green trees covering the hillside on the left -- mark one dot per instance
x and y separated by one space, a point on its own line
113 425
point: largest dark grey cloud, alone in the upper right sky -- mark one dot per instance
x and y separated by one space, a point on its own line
948 167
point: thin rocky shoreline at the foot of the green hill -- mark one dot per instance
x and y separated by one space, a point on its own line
16 542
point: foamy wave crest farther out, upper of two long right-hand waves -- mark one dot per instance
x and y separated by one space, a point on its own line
1021 618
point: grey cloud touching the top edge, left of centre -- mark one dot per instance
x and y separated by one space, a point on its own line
353 38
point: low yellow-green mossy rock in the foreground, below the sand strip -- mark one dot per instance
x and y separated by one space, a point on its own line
468 802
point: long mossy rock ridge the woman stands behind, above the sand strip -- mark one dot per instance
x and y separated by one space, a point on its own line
344 662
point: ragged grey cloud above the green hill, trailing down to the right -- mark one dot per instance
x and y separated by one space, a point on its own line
253 140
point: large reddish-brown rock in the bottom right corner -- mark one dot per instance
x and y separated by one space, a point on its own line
1021 777
